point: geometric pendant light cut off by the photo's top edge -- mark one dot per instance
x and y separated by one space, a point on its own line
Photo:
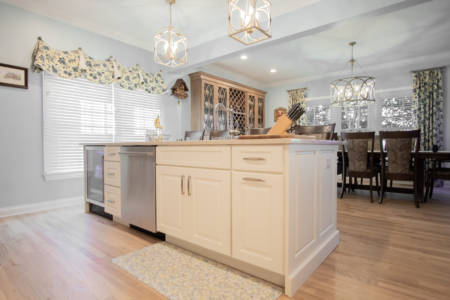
249 21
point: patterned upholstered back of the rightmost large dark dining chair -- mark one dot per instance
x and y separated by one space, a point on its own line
396 147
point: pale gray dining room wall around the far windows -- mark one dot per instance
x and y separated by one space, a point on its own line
390 82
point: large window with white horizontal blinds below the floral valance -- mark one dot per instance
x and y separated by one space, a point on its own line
78 111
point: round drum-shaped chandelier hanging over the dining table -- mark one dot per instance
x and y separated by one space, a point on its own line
353 90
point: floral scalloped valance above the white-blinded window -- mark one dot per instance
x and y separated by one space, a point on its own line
76 64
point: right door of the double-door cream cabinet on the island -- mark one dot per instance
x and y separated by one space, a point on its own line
210 200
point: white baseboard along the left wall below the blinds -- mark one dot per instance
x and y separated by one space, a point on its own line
40 206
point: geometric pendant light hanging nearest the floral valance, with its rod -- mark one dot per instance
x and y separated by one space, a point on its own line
170 45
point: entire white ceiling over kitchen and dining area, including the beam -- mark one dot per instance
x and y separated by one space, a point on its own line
310 37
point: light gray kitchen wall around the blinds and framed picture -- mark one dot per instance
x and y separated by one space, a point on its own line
21 180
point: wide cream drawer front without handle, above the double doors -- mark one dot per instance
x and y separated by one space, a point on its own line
215 157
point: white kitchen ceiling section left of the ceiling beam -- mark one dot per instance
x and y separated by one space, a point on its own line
136 21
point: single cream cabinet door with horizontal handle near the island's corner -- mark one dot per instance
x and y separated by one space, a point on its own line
257 219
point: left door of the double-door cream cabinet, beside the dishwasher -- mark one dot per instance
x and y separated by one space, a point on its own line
171 201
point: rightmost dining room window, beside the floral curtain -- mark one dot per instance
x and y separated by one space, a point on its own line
398 113
